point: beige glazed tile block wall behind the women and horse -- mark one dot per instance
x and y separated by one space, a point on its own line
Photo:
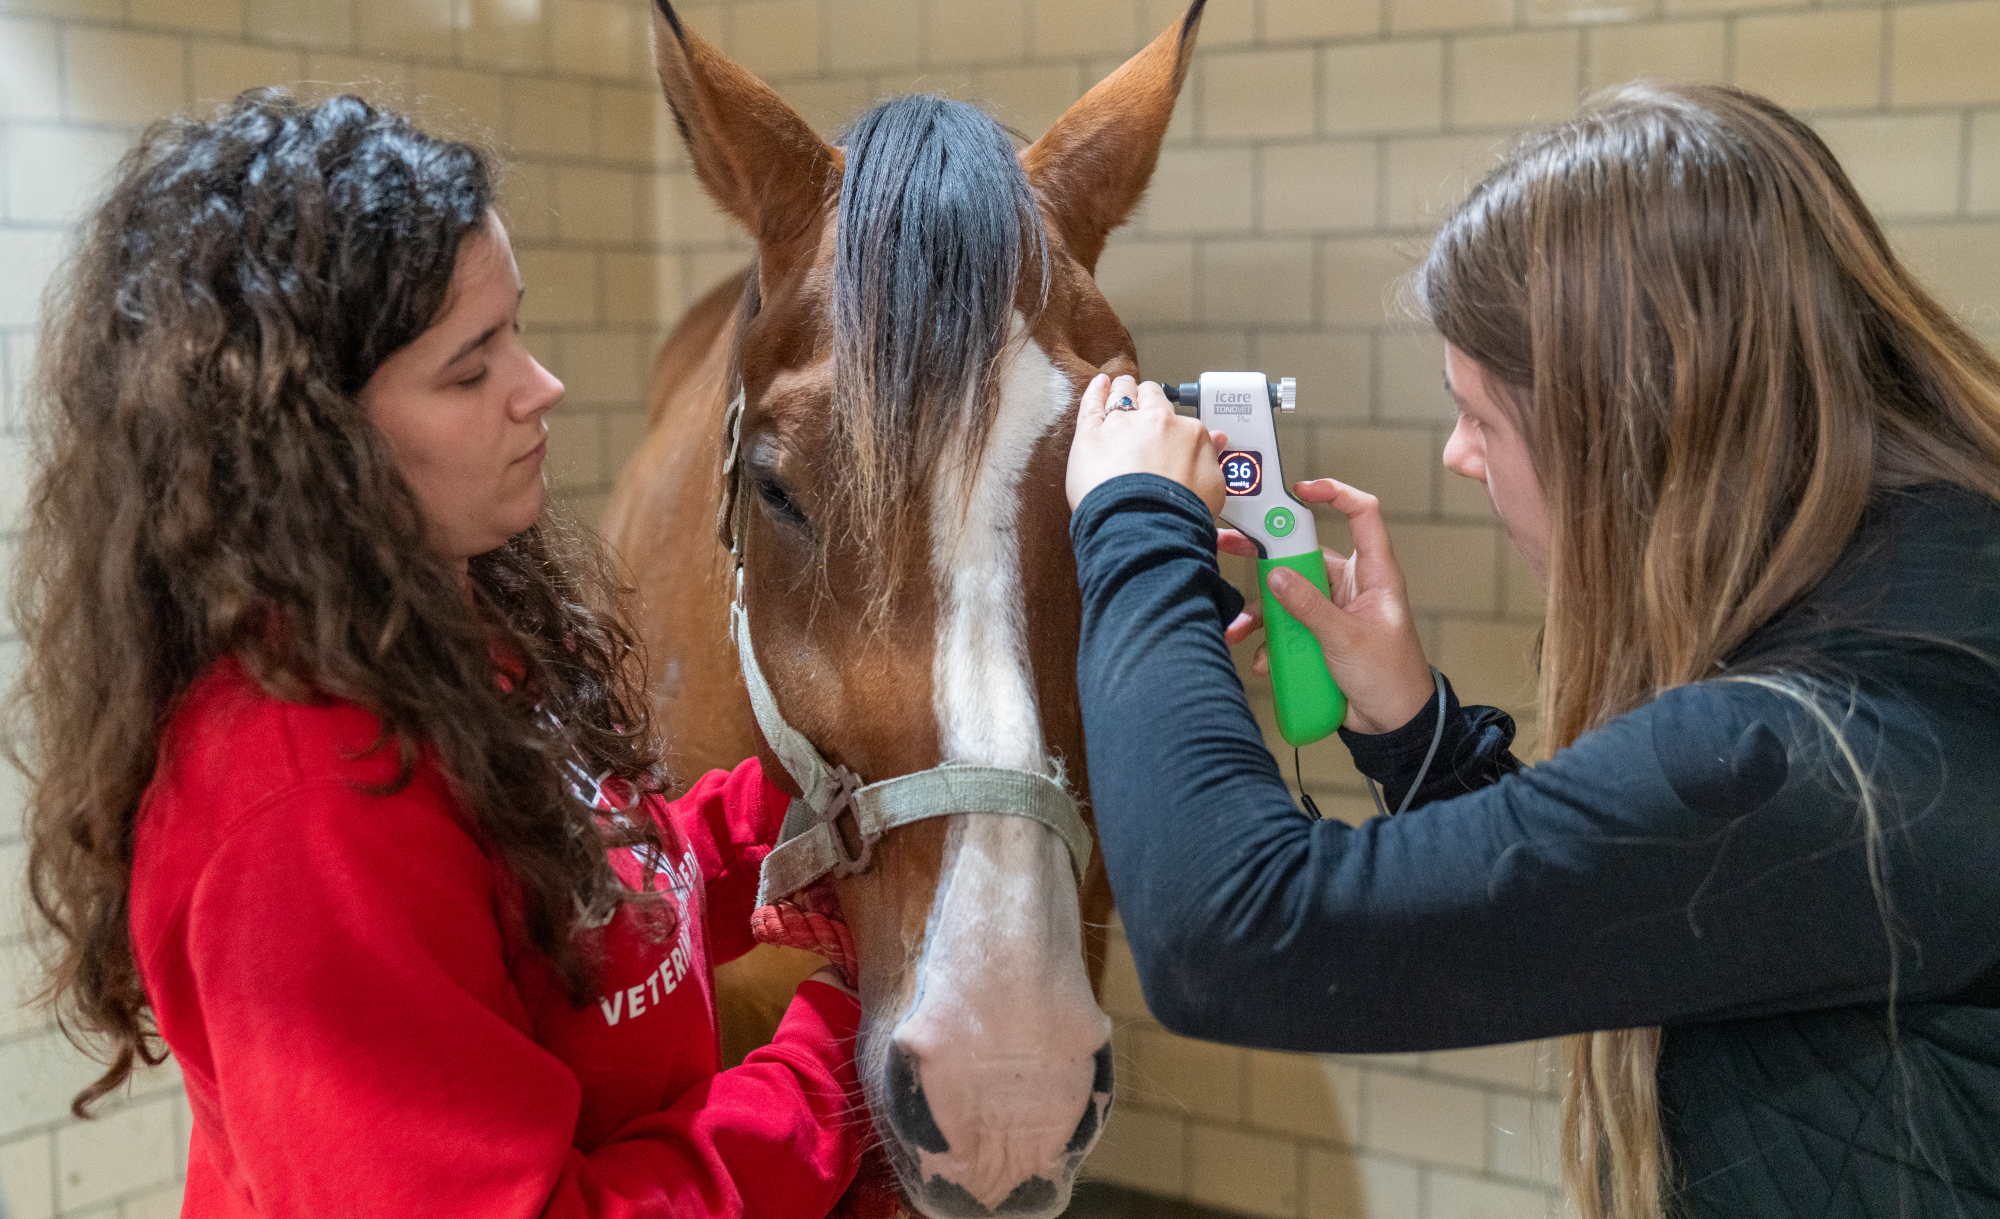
1309 161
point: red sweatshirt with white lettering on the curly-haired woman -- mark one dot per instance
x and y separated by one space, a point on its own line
363 1034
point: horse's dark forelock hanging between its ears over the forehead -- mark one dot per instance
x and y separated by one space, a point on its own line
937 227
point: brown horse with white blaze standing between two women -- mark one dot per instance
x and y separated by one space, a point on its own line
855 459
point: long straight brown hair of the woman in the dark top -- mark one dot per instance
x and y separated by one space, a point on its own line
1717 361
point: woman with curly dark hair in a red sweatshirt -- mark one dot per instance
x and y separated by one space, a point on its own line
343 786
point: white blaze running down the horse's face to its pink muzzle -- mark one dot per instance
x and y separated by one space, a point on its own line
1001 1072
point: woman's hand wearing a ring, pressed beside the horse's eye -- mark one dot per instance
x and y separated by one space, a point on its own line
1145 441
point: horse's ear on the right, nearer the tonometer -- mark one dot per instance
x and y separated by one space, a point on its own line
1093 167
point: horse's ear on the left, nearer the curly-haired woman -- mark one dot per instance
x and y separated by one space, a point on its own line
755 155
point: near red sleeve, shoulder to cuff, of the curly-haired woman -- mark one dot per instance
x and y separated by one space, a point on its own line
373 1054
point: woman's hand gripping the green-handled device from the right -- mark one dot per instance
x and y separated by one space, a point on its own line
1365 628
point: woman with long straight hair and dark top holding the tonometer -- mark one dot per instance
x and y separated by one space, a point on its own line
1757 469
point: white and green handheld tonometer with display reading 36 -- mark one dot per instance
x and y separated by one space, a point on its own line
1261 509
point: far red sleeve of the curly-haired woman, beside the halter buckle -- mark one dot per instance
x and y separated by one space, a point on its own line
731 818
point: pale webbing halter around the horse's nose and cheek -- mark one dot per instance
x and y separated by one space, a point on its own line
811 844
